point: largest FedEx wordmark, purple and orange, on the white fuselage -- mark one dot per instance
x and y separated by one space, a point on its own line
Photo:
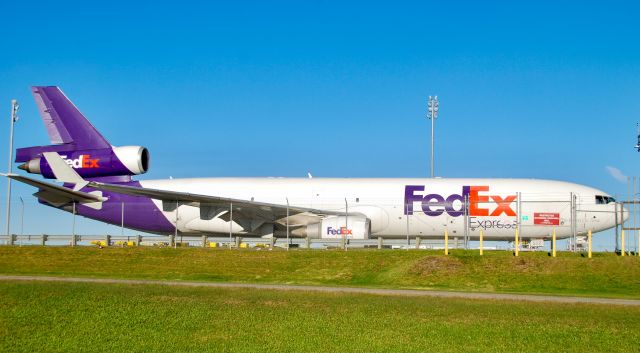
481 203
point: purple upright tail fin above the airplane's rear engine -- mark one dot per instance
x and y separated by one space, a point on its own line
64 122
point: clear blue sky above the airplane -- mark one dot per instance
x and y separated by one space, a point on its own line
538 89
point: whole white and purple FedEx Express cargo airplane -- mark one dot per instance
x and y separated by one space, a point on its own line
98 184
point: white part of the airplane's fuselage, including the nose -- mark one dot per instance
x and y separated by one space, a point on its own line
415 207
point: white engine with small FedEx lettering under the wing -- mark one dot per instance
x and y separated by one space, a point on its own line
337 227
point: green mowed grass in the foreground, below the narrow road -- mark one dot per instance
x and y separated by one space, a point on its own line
82 317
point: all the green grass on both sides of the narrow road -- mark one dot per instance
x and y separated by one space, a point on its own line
92 317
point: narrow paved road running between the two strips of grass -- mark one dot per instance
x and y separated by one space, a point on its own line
355 290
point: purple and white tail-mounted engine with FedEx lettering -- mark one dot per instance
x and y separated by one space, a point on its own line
116 161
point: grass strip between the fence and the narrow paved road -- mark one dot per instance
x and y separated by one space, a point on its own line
605 275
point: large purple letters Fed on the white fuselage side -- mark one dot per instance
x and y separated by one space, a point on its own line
434 204
